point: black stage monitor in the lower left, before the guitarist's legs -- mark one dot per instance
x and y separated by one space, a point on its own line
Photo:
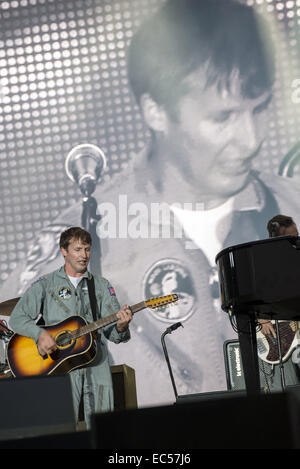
36 406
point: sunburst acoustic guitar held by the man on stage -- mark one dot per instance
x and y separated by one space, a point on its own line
74 338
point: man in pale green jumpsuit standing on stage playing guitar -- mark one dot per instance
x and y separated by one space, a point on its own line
63 293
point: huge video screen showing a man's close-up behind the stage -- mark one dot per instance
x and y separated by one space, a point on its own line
199 125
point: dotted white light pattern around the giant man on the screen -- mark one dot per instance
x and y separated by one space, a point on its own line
64 82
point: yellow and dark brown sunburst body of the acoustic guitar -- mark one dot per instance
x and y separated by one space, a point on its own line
25 360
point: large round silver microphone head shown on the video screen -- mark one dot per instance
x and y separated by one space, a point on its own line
84 165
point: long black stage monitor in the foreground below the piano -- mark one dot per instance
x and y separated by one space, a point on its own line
242 422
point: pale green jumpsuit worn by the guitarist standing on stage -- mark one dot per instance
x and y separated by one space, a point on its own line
60 300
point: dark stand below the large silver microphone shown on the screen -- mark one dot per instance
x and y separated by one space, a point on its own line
89 220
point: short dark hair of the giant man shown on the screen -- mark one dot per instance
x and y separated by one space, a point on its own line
183 36
